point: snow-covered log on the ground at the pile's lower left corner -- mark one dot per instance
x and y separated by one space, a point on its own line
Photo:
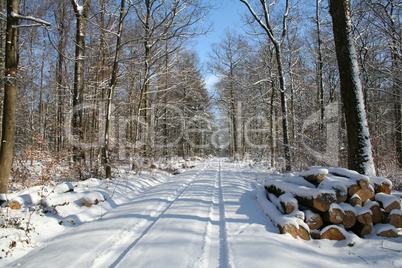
284 223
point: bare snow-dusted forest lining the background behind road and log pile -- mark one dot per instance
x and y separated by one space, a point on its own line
100 83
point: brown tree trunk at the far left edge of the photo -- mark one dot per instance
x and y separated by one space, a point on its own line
10 96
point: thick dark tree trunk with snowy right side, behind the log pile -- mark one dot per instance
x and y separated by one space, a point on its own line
359 147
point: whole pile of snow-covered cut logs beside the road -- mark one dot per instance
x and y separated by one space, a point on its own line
327 203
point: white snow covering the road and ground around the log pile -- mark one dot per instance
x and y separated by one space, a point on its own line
207 216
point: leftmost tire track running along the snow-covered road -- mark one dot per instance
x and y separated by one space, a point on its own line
160 210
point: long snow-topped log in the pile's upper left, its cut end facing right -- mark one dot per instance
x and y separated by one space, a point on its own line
319 199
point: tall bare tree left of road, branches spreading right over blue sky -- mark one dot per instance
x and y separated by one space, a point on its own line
162 23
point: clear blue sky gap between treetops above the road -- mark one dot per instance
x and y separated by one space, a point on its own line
226 15
